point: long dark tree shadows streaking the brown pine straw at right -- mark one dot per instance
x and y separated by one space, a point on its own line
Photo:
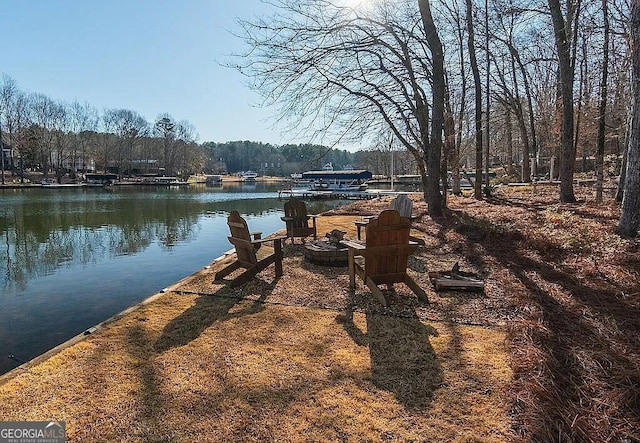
575 338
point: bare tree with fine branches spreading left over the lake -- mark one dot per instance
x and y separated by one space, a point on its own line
335 70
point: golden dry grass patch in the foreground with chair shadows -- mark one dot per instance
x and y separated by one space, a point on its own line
197 368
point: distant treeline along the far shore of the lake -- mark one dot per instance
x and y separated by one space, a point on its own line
60 139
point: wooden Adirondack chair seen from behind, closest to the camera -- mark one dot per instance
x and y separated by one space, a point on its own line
383 259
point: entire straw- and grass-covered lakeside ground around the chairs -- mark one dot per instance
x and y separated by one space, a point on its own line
549 352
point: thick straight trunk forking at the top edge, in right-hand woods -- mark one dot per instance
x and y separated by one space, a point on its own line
563 37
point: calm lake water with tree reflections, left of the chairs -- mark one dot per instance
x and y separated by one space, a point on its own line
72 258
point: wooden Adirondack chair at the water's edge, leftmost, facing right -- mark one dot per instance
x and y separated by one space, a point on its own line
250 255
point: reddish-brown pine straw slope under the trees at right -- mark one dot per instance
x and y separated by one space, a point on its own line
575 288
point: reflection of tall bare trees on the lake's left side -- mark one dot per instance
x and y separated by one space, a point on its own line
41 237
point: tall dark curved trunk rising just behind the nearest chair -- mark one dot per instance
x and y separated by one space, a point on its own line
433 195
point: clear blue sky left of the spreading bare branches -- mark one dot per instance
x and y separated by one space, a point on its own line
148 56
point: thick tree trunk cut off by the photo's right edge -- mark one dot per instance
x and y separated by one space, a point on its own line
630 218
